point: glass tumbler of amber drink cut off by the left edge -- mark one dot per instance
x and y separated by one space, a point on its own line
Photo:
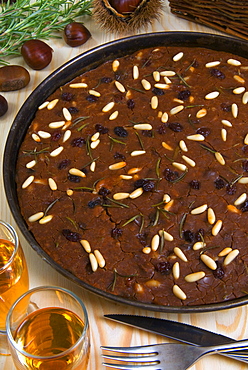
13 276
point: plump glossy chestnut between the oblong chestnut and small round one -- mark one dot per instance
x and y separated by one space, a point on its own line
36 53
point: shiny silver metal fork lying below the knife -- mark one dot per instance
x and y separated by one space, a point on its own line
168 356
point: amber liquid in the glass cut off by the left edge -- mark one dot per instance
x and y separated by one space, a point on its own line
13 279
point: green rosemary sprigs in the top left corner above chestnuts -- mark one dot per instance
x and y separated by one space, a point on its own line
42 19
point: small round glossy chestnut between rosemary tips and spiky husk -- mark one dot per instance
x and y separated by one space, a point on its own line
76 34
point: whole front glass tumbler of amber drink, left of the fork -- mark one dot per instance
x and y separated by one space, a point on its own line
52 333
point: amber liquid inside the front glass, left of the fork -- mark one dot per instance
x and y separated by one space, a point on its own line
49 332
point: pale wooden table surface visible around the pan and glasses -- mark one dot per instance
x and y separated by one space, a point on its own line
231 322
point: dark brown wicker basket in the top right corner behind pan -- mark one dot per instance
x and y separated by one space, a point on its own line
230 16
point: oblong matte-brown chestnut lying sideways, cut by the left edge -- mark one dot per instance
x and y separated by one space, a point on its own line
13 77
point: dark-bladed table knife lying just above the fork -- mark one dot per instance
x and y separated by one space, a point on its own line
175 330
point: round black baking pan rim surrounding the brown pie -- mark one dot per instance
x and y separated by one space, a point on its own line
80 64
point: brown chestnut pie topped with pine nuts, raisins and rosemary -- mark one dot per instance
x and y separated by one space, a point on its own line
134 176
